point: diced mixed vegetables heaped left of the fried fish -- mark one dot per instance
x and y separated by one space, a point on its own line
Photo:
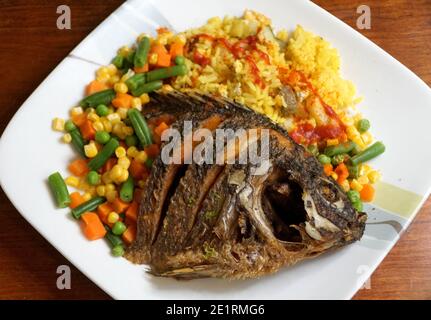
114 143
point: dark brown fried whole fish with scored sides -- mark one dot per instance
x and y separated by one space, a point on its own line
223 220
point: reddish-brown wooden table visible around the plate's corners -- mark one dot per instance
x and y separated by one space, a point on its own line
31 46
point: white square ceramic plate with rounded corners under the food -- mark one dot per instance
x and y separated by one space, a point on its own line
397 102
